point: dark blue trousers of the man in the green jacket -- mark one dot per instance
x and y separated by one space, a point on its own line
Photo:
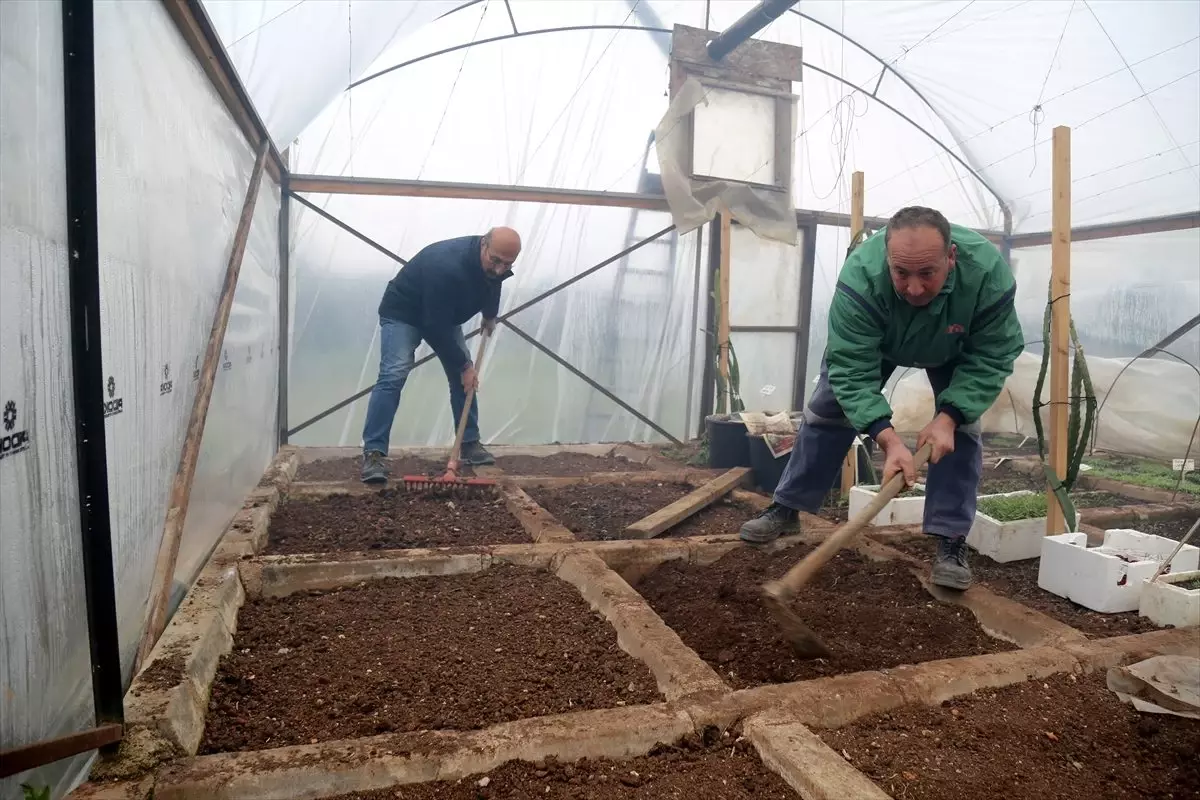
823 442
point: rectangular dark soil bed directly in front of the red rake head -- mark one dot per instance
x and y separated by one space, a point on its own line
392 520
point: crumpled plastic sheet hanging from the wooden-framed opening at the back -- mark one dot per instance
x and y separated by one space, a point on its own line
694 202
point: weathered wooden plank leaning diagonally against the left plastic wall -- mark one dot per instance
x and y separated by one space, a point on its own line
182 486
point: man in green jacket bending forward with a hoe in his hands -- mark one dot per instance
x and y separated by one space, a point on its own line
922 293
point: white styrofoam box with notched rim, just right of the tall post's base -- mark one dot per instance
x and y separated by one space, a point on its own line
1108 579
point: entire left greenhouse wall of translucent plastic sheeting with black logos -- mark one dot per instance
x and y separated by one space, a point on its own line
172 173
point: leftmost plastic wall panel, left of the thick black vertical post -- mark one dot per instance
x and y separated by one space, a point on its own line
45 663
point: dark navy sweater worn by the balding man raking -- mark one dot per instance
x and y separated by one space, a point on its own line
440 290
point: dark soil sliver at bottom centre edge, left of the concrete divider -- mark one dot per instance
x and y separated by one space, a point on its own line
719 767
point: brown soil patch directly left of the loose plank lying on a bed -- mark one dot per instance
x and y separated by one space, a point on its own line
605 510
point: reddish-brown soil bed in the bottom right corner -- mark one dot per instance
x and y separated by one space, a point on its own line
1066 738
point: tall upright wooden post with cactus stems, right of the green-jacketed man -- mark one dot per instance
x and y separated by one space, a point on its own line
1060 321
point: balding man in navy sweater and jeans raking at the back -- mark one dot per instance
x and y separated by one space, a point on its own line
430 299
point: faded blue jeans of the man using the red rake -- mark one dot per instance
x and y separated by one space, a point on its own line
398 353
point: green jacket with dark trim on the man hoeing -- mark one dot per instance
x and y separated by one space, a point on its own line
971 324
